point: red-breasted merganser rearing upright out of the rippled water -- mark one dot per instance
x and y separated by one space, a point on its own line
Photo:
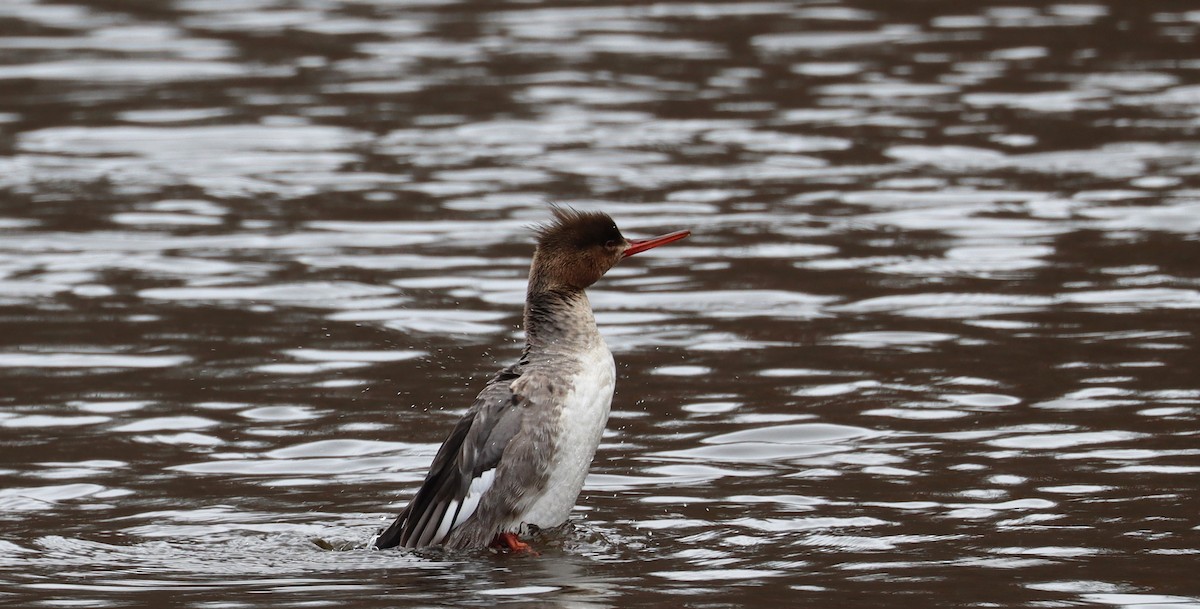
519 457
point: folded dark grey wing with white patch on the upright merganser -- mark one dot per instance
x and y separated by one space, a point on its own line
473 448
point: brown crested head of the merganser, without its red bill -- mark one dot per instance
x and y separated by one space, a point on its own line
575 250
